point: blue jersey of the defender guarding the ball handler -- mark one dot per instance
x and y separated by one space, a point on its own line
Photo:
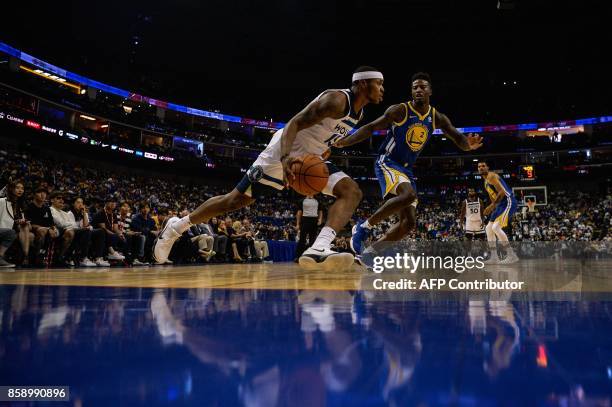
407 138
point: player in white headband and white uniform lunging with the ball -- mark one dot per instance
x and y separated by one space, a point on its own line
324 121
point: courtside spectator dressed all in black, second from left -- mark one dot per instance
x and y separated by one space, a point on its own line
41 221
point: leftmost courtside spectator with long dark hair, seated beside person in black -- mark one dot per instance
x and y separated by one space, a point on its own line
15 209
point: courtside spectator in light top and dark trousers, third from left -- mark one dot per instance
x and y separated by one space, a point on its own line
70 231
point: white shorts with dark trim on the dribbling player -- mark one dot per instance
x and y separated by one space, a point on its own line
269 172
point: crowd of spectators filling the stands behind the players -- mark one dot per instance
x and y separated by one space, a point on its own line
96 217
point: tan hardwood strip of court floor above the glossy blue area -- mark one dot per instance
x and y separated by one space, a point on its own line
538 275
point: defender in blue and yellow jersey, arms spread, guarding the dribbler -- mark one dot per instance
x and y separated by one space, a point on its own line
412 125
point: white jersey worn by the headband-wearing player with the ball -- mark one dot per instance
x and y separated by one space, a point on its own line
318 138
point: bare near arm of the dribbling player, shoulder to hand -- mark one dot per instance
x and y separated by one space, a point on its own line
332 104
